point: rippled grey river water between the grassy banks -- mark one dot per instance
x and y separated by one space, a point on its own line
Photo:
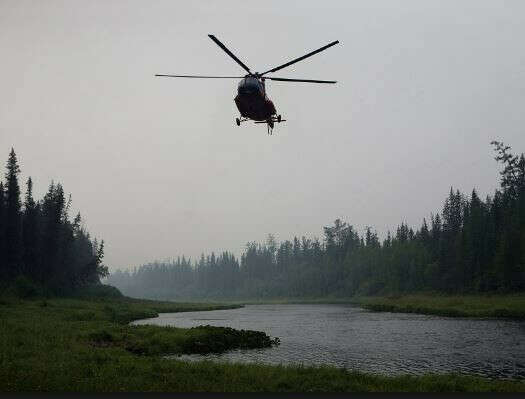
379 342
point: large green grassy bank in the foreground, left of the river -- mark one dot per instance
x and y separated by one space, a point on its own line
87 345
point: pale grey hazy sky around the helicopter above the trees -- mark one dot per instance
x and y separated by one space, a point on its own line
158 167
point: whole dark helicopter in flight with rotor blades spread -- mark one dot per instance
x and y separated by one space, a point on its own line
251 99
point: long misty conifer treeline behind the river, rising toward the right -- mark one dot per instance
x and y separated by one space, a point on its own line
471 246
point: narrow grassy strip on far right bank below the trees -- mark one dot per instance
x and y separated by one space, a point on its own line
488 306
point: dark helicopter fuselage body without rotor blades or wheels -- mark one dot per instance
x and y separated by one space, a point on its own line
251 100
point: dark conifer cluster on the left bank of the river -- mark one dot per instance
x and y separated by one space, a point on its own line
38 242
